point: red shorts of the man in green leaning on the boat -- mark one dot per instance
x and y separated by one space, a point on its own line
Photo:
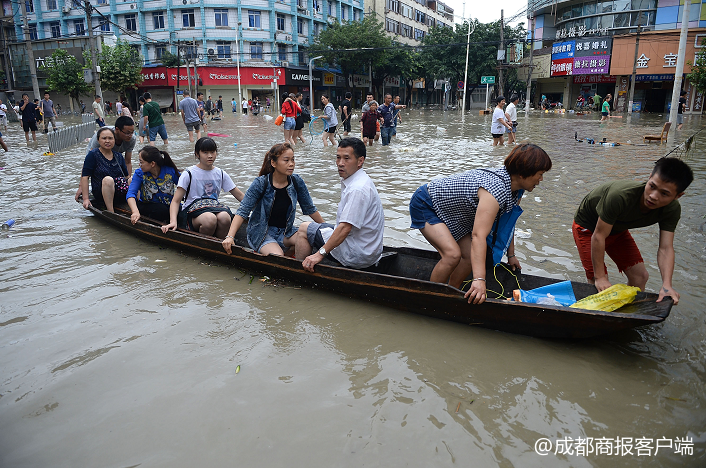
619 247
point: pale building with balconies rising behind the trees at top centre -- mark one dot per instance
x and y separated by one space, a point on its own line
408 21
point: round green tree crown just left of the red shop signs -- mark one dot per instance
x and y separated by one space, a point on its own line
121 67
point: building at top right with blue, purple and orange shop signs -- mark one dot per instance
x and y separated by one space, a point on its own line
587 48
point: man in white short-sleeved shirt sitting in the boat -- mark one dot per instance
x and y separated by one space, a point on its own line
356 240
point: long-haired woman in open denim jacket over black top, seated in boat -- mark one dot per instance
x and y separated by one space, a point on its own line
272 200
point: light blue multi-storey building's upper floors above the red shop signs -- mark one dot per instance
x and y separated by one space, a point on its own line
264 31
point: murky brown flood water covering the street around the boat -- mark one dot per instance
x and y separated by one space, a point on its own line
116 352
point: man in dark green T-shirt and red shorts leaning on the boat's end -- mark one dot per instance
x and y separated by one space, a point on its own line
604 216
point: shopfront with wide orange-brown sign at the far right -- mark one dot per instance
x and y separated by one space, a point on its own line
656 64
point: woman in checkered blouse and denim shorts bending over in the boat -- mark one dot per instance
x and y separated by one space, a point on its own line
456 214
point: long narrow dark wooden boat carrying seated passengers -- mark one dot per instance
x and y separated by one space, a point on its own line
400 281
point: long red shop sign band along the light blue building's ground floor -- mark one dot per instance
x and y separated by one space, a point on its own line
214 76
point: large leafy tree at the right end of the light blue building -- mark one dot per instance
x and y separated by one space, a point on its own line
367 38
